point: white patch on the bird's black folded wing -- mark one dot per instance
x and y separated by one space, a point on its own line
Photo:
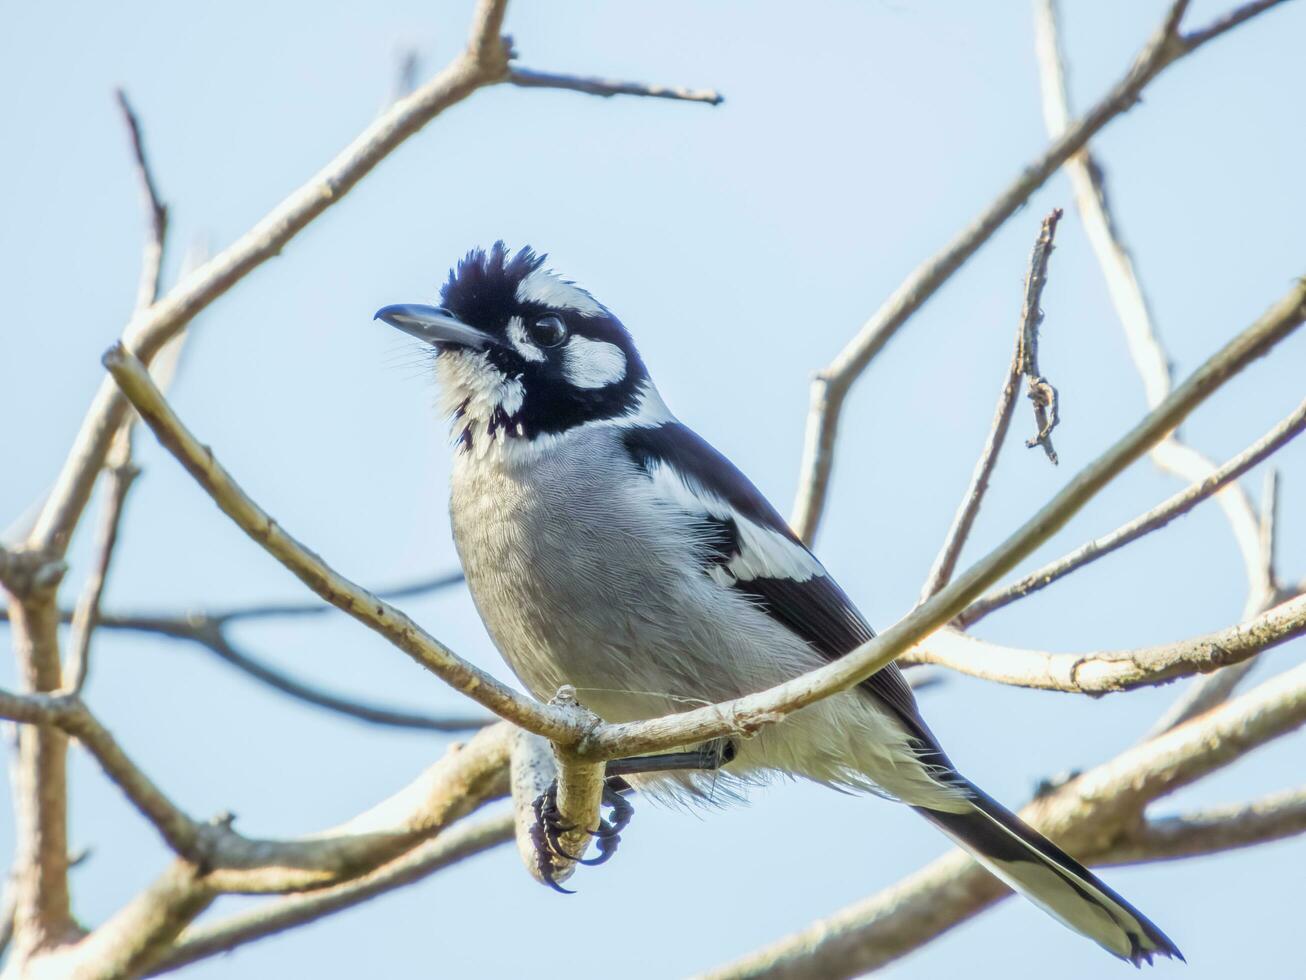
763 553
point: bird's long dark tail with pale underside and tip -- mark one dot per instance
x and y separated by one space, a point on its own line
1055 881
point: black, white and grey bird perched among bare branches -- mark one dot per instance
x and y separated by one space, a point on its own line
608 547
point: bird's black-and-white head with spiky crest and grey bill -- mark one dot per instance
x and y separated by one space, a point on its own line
523 352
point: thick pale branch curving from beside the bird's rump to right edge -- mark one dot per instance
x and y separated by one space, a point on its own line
1113 671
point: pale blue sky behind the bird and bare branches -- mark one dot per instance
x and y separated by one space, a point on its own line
742 246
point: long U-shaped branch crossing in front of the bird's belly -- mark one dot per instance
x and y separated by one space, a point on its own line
745 715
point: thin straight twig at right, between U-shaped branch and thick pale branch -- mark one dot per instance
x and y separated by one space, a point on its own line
1146 523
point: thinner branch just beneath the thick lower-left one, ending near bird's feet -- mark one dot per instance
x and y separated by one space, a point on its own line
460 842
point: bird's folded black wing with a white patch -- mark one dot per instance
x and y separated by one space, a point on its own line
750 548
